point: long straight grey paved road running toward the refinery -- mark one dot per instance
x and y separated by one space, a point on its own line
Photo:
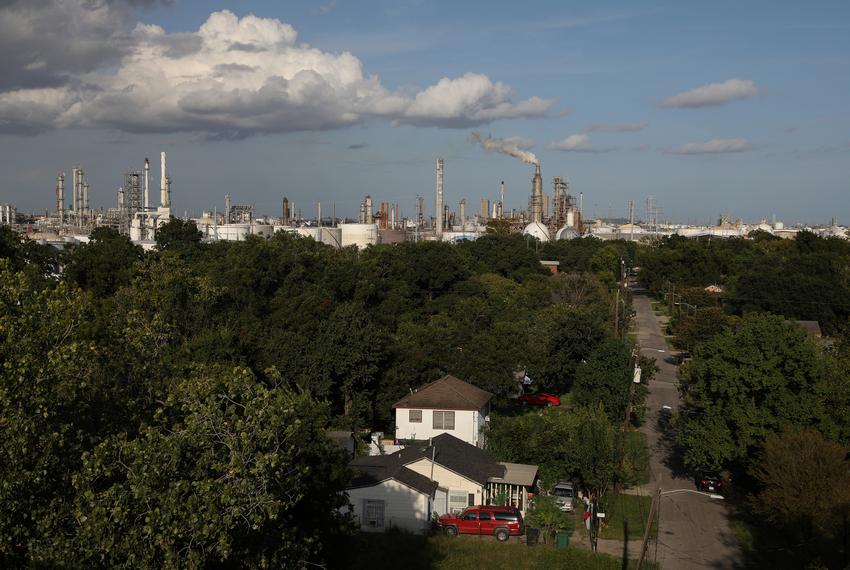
694 531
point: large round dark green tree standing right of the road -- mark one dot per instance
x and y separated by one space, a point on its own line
746 384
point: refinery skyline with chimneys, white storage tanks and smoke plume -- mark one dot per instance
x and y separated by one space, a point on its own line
548 217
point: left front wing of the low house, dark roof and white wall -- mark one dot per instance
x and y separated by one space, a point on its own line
385 494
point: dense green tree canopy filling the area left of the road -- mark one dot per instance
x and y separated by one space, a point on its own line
168 409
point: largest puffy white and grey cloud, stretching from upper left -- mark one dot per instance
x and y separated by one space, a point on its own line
234 77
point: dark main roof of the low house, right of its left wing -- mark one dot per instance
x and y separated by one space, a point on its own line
456 455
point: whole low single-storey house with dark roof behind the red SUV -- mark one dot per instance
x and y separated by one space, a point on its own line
443 475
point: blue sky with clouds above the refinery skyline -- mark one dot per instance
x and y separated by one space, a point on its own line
708 108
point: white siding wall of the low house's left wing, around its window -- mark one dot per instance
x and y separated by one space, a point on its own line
403 507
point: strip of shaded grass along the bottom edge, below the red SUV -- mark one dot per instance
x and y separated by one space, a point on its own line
401 550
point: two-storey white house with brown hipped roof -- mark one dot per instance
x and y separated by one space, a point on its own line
447 405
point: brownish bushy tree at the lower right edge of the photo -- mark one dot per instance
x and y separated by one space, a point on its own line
804 482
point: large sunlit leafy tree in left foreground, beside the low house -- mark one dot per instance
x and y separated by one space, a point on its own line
229 473
